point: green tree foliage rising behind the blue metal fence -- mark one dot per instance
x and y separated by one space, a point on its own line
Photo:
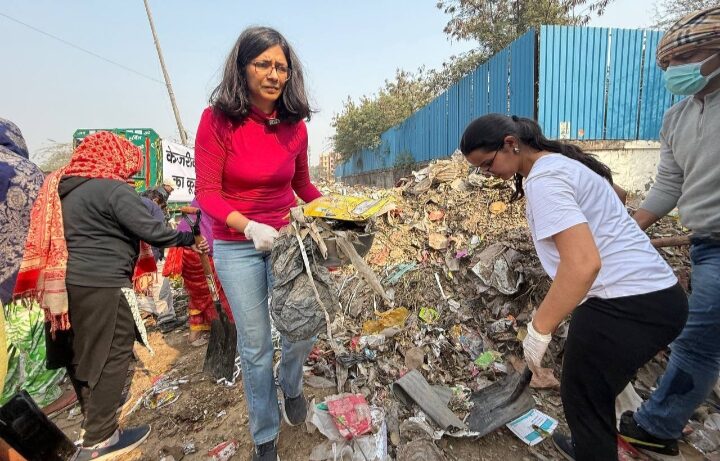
492 23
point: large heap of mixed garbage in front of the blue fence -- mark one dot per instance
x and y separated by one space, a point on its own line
460 279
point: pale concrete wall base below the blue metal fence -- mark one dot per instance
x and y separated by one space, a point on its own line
634 164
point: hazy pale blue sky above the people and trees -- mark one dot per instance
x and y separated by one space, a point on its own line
348 48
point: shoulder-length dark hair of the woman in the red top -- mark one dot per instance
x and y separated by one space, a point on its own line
231 97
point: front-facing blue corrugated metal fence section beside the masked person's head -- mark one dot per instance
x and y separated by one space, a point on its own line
597 83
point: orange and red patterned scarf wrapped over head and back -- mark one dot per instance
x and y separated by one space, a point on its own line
44 265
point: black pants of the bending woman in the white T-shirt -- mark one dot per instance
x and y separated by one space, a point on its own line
608 340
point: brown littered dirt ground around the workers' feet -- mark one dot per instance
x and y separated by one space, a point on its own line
207 414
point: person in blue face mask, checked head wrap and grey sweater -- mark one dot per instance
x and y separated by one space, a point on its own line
687 177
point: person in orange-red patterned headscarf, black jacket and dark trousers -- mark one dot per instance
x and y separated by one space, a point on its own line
86 245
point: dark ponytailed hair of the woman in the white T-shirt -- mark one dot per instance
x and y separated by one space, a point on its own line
489 131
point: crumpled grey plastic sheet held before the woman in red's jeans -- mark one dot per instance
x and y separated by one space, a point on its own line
295 310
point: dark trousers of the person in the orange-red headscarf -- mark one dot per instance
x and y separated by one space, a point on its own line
98 353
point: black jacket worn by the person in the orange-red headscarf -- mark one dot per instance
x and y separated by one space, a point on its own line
104 221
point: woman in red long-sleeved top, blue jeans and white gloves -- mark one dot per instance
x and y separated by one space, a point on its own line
251 161
